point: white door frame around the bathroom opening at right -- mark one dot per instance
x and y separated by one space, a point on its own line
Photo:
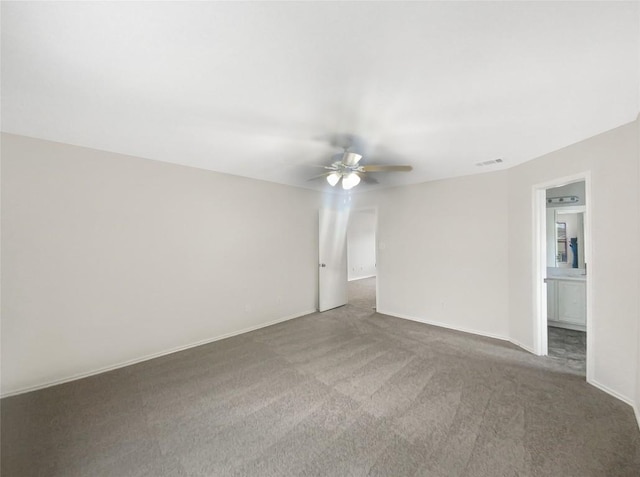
541 345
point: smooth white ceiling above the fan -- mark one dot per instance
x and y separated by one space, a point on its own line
254 89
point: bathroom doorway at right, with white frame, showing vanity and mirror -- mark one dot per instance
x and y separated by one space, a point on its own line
563 319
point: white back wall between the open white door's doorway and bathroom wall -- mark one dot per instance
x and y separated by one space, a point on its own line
442 252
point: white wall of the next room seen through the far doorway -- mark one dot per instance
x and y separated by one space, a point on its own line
361 244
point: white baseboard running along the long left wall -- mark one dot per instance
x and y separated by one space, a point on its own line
150 356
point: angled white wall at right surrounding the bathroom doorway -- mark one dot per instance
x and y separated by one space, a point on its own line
612 158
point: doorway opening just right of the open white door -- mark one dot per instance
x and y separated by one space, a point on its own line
361 259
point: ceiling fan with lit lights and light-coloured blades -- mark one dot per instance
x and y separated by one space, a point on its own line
348 169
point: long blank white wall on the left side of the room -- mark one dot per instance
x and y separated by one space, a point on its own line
110 258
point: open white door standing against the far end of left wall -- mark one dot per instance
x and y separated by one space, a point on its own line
332 266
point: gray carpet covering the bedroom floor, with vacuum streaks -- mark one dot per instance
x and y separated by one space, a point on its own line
346 392
